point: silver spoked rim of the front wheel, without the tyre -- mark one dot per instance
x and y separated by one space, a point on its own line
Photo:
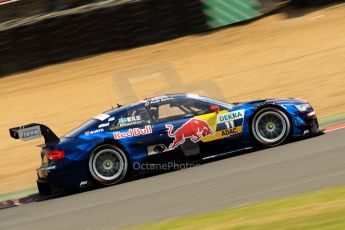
271 127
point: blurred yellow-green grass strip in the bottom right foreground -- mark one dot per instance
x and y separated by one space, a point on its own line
324 209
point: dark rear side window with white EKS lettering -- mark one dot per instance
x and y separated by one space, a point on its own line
132 118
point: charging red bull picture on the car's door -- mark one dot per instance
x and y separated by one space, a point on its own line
194 129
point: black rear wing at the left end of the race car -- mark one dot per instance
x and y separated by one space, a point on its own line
33 131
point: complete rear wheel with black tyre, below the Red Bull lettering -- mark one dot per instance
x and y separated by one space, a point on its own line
108 165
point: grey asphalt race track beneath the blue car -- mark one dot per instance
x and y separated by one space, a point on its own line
293 168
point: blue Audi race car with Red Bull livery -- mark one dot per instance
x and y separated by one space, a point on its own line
128 140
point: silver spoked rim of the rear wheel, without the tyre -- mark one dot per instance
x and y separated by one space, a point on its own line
108 165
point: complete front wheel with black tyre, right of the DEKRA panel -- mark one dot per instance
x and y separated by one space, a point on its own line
270 127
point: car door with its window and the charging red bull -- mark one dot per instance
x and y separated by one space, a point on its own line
183 124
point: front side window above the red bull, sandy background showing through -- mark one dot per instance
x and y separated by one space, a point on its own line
178 109
